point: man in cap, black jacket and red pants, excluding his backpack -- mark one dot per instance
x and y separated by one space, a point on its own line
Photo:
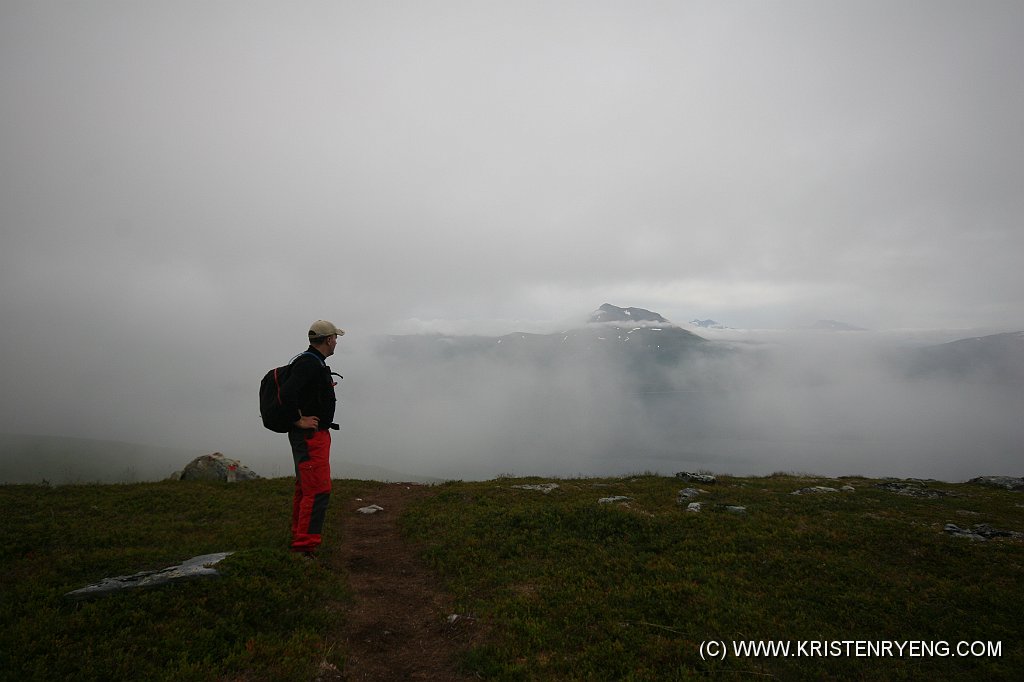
309 395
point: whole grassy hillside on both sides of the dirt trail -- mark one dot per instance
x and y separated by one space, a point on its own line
567 588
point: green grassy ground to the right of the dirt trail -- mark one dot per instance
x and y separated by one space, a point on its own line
575 590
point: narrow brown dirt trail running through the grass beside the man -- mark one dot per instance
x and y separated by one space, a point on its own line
398 628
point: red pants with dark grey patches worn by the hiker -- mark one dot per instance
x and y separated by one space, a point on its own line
313 488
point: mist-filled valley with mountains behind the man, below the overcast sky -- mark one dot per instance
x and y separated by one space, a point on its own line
623 392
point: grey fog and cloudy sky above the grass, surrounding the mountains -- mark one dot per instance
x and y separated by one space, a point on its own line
186 186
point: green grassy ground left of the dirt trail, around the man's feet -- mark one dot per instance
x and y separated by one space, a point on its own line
270 617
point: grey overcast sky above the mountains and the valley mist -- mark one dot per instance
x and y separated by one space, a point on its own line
187 184
